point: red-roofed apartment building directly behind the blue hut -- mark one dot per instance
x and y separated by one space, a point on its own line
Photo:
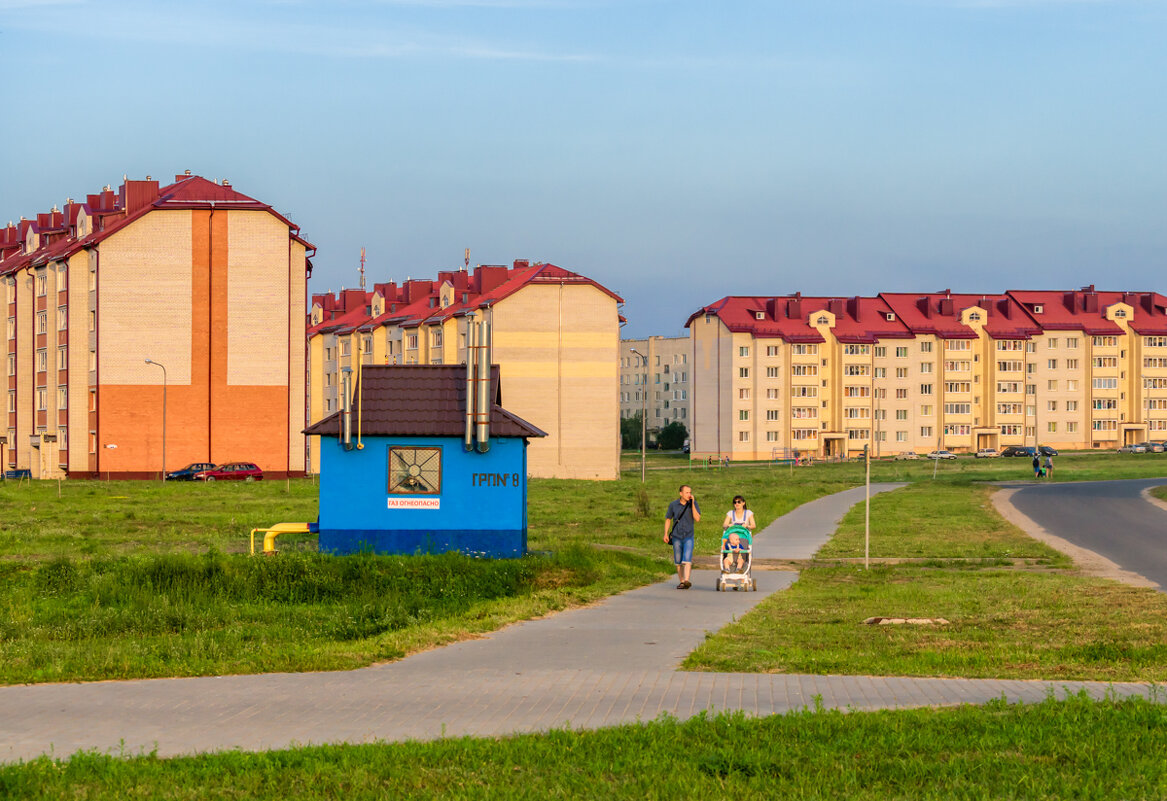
555 336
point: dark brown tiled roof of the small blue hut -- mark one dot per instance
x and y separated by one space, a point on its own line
421 401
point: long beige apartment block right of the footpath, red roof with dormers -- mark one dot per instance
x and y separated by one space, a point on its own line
904 372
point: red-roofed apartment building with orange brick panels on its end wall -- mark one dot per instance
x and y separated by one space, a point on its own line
205 282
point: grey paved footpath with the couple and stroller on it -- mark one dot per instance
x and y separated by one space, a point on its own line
611 664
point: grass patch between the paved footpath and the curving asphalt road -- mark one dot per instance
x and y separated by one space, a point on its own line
1016 608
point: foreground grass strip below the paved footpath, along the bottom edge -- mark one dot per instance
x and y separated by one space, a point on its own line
1059 749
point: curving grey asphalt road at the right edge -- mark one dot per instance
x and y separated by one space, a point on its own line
1108 518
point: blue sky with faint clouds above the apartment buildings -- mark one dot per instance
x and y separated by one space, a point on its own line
674 151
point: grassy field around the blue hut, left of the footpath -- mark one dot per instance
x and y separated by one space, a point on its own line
143 580
